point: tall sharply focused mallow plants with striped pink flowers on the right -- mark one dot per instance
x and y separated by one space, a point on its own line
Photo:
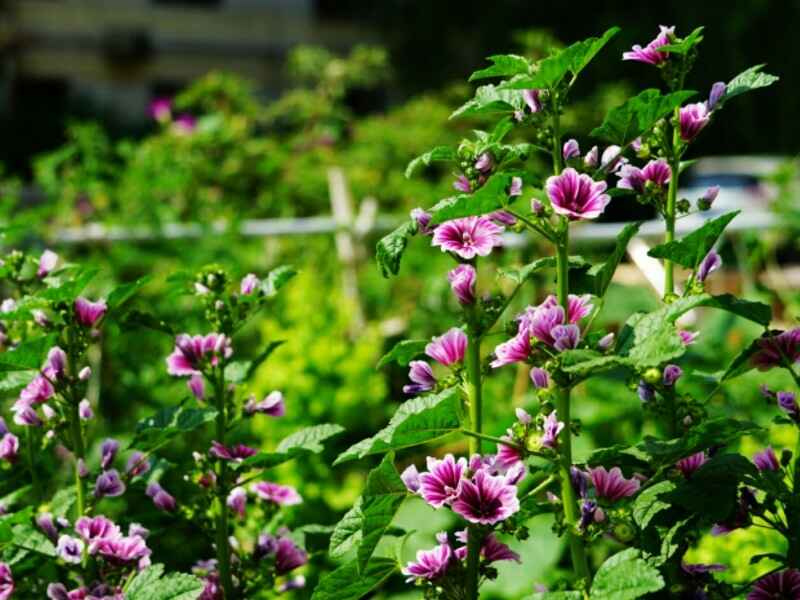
654 497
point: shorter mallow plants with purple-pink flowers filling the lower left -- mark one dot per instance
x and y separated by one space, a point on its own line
65 530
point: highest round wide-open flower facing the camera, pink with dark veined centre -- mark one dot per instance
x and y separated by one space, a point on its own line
576 195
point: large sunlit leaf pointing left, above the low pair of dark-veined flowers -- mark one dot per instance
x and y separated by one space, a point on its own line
417 421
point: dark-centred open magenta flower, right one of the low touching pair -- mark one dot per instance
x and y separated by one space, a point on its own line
486 499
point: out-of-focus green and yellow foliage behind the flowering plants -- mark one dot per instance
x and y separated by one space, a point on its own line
369 112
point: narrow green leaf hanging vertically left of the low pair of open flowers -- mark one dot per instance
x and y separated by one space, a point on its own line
382 497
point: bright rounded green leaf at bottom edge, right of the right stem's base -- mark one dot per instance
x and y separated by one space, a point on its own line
625 576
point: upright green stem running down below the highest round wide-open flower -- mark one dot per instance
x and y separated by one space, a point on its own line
580 564
